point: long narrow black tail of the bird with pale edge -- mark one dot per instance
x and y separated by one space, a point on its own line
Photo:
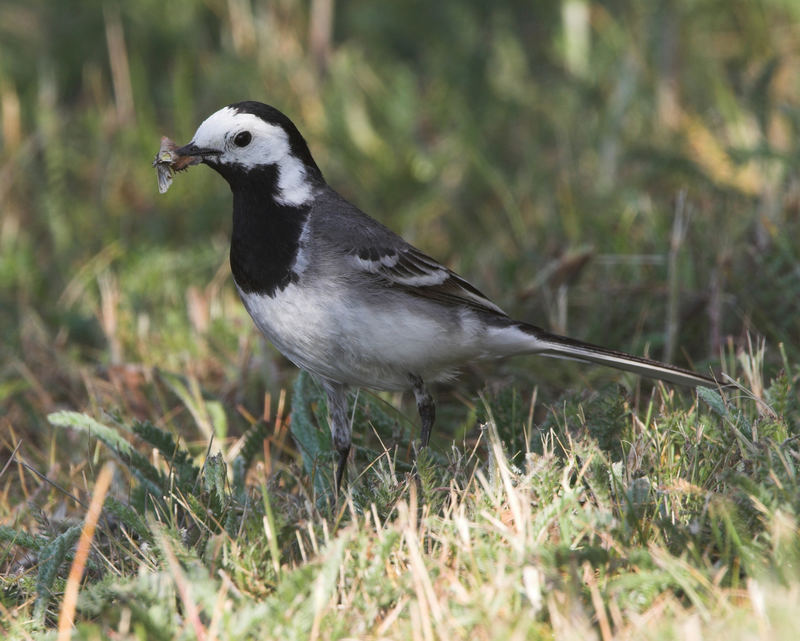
557 346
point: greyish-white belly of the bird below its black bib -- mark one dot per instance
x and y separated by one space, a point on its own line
368 344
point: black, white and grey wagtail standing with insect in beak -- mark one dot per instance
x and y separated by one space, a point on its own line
344 297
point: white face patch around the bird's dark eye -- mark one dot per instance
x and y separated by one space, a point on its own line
268 145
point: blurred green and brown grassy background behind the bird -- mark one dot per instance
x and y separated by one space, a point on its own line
624 171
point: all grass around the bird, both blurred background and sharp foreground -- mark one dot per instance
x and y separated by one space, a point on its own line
642 196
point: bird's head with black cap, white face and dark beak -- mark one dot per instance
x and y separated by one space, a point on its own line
250 143
